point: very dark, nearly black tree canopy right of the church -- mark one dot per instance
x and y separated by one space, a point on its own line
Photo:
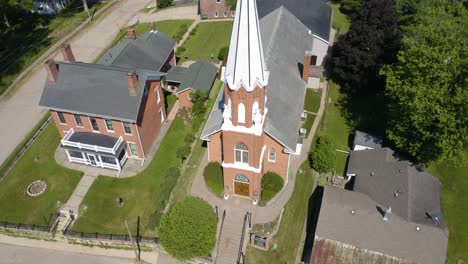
372 41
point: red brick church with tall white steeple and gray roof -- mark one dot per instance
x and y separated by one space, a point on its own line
254 126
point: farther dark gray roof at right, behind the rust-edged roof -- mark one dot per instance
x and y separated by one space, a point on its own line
412 193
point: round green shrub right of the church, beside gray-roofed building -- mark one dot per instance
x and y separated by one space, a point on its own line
323 157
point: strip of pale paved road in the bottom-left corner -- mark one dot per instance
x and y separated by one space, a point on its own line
12 254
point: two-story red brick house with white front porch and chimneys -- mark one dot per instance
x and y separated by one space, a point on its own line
106 114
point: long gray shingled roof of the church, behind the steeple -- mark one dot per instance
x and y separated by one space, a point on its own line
285 40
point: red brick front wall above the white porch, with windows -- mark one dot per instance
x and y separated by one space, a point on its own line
117 125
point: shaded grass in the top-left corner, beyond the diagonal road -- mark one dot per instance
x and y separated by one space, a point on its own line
33 35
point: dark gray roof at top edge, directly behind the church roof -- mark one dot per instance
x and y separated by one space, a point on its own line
315 14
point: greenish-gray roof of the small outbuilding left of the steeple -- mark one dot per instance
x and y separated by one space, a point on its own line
198 76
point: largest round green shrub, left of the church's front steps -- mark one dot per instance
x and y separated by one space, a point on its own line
188 230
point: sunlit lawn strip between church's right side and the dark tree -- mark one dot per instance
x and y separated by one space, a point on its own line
334 123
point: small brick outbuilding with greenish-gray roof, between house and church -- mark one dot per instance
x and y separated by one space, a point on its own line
183 81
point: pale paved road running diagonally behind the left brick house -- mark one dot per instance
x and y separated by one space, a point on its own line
19 112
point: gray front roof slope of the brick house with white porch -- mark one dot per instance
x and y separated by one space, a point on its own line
95 90
